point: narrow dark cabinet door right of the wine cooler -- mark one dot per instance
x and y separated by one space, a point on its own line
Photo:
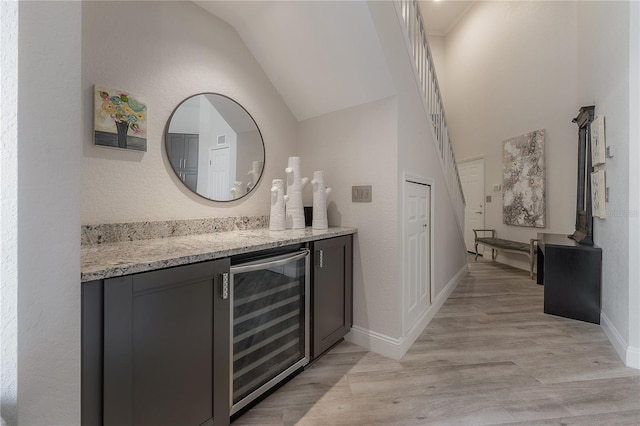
332 291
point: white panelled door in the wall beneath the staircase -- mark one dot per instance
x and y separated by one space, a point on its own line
416 252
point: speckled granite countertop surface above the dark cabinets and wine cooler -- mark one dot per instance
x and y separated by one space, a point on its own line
129 257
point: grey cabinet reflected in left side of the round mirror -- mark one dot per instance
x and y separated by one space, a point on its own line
183 153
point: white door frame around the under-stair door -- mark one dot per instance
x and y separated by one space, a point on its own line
432 184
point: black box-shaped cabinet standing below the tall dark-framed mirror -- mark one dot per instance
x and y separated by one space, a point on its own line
571 274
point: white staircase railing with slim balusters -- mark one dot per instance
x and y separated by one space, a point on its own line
416 37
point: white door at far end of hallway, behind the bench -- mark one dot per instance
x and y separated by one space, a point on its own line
472 178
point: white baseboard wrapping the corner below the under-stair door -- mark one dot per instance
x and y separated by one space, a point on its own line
396 348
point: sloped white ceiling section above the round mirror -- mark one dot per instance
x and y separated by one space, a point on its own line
321 56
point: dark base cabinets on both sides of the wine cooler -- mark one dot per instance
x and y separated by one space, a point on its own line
156 345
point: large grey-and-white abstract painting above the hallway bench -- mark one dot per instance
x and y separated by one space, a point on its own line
523 197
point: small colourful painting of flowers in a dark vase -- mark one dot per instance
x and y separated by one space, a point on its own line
120 119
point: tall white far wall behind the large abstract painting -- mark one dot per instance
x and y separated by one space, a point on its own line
511 68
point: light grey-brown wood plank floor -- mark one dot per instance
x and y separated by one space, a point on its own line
490 356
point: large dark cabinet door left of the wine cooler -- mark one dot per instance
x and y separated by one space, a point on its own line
166 347
